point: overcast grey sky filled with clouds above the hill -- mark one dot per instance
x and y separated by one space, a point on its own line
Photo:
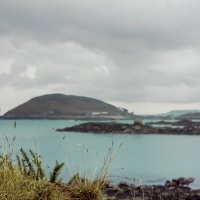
143 55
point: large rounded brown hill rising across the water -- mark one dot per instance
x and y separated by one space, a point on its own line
59 106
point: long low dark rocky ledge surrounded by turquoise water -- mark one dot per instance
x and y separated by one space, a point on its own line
97 127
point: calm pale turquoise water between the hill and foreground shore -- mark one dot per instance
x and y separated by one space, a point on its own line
146 159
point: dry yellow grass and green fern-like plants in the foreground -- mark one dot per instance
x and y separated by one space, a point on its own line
26 180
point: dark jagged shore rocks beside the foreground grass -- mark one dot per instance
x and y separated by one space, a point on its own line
176 189
